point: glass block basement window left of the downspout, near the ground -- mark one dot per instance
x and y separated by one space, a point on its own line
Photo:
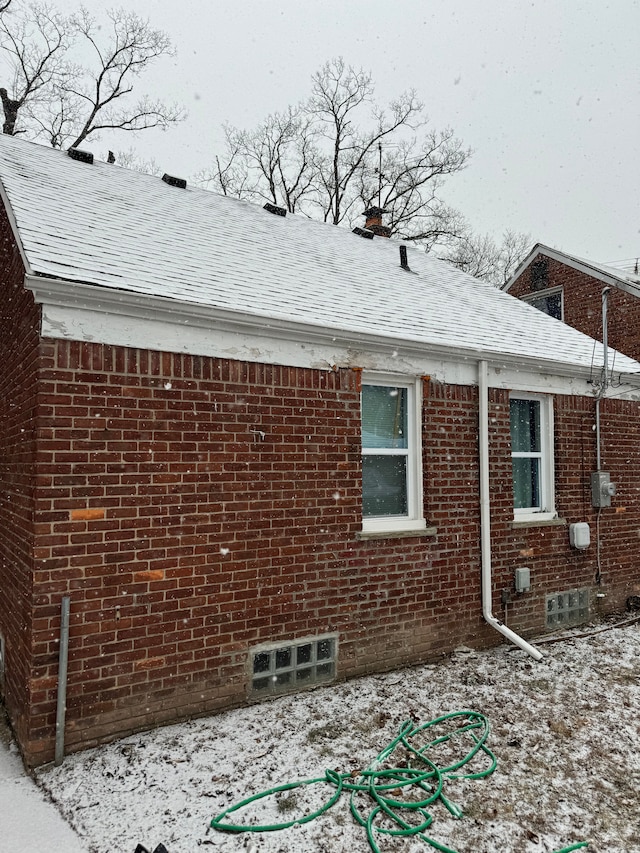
284 668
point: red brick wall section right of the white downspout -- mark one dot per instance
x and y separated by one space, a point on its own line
555 567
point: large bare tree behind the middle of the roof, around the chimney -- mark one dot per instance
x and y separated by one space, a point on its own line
324 158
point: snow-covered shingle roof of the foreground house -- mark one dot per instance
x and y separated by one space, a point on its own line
123 231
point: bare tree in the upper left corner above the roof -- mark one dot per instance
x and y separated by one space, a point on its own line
67 101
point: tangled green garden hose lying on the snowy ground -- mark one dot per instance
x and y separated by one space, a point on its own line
384 787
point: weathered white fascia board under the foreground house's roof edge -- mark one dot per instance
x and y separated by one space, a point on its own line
75 311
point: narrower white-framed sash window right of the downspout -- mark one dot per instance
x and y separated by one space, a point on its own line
532 457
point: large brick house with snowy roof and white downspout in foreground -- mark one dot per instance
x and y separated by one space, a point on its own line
256 453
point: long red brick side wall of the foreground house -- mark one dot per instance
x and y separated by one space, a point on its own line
193 508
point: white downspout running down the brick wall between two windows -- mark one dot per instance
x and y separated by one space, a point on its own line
485 517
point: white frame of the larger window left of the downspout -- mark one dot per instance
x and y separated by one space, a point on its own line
414 520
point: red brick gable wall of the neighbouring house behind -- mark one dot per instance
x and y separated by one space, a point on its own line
583 306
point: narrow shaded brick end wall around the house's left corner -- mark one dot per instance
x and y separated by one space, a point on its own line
19 326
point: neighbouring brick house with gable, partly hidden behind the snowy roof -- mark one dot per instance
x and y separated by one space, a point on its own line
570 289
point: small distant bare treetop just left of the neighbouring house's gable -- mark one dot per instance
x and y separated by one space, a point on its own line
481 256
